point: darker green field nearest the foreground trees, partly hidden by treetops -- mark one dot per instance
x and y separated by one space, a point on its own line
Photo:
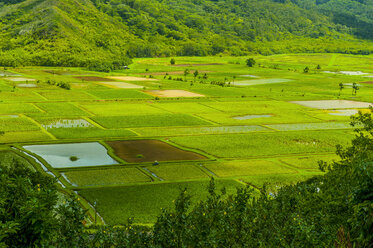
145 202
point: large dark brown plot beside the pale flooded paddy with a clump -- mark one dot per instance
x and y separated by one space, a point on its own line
150 150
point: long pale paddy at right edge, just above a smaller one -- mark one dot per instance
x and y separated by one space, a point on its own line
333 104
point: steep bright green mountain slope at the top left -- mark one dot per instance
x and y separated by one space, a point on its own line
68 33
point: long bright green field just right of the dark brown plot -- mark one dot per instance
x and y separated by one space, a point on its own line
266 144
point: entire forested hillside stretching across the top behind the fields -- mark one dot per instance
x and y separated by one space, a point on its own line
82 32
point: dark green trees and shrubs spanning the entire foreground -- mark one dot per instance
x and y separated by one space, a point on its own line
332 210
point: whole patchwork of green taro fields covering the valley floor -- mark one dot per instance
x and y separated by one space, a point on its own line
264 125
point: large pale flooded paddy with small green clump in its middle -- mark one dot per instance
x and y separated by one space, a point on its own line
63 155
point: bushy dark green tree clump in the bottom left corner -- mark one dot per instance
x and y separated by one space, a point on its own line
30 215
